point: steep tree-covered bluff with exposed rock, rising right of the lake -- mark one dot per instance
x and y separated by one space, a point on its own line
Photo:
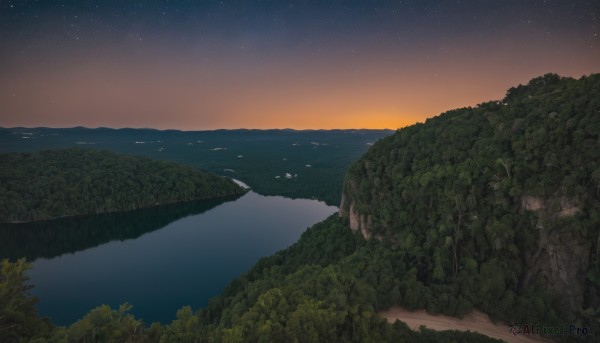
509 186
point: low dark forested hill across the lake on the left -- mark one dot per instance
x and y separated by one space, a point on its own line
56 183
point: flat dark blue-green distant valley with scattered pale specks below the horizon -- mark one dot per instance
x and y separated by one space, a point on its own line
298 164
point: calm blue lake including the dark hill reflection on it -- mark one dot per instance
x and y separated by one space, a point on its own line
157 259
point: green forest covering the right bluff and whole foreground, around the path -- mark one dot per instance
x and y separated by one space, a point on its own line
478 208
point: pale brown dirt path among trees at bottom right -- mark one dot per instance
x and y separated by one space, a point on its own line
476 321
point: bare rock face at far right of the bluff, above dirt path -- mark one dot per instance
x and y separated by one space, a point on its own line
561 261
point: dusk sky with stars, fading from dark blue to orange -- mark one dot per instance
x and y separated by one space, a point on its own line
201 65
